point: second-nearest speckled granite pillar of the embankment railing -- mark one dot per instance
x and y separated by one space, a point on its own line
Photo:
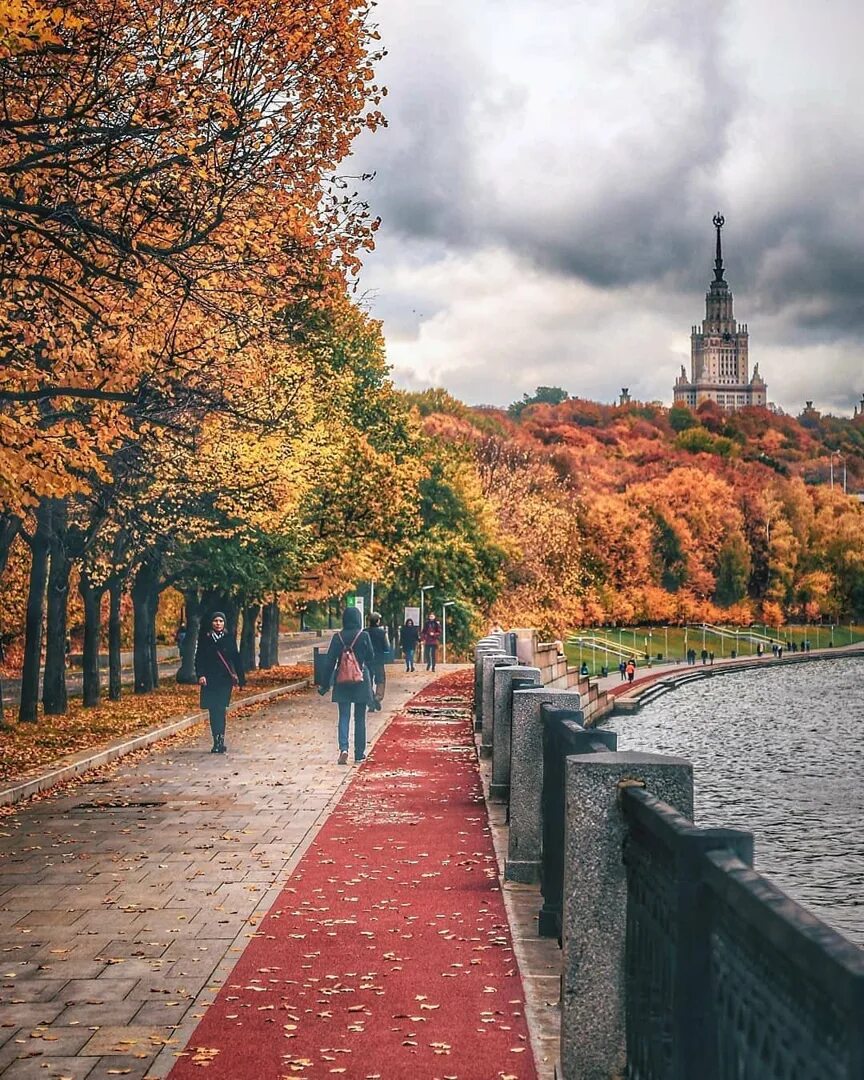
526 780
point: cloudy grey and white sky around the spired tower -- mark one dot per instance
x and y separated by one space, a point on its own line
550 173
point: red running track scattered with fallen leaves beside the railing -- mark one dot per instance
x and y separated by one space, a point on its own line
388 953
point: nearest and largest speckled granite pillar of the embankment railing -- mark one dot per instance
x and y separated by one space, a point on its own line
593 1025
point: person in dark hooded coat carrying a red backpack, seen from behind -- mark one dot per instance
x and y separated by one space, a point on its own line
347 670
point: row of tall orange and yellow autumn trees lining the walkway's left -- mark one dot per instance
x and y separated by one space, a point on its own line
190 398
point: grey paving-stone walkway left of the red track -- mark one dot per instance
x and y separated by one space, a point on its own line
126 901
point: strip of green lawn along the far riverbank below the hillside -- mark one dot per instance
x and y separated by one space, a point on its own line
600 646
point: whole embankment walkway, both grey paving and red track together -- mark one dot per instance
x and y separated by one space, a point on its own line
267 913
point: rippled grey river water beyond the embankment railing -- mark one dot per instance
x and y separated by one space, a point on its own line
778 752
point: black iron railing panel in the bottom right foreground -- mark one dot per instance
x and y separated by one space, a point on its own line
727 978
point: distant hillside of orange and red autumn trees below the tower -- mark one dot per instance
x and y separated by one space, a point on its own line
643 515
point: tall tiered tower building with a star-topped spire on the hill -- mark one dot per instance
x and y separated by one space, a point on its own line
719 352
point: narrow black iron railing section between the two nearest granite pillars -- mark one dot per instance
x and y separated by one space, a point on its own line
563 735
